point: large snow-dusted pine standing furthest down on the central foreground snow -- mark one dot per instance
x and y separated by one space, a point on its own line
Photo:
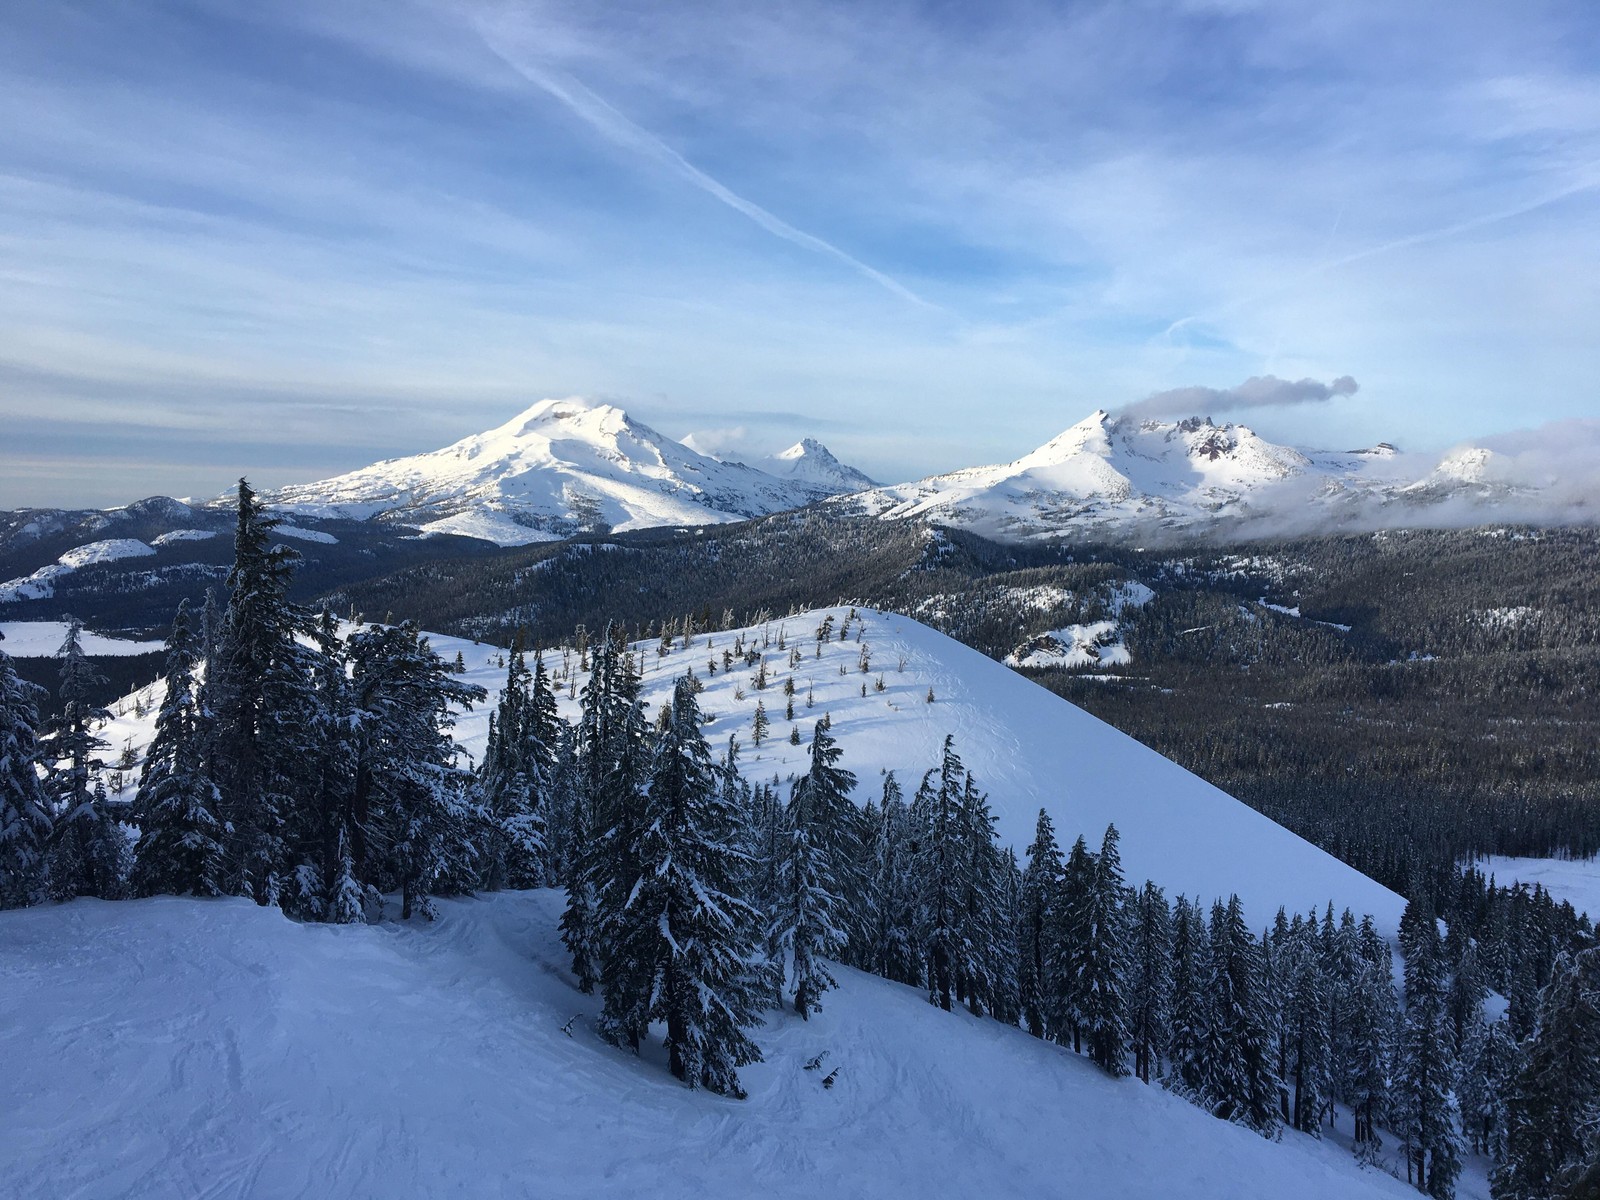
686 926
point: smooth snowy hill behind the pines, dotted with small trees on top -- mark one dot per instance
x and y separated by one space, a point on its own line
1026 746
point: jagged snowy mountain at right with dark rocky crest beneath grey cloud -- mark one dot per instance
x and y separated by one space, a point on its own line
1113 476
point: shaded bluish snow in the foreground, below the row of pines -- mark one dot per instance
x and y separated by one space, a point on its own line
212 1049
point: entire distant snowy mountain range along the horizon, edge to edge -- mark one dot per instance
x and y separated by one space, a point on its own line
564 468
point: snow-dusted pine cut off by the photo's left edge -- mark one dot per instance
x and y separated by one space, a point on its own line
25 806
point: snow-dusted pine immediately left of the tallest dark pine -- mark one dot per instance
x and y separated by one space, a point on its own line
182 838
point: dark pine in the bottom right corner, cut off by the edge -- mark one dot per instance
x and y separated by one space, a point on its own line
1554 1106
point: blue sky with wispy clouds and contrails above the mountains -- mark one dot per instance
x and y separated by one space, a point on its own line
289 239
